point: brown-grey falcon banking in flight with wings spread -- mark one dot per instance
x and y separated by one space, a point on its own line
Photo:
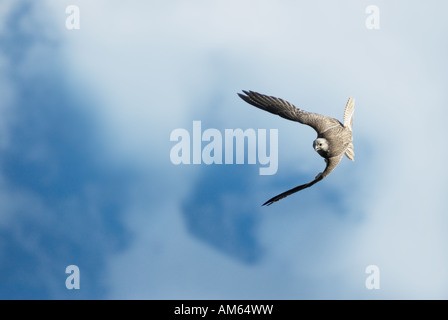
334 139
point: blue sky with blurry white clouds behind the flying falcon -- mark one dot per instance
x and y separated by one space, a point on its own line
86 177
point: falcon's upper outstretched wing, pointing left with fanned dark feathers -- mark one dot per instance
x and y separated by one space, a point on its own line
288 111
